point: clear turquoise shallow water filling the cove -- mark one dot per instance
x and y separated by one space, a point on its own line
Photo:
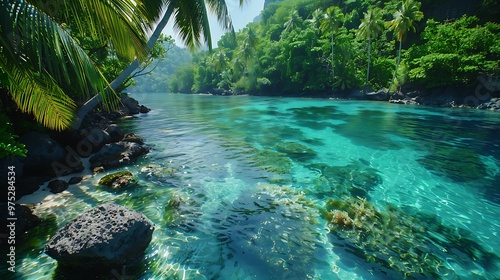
277 188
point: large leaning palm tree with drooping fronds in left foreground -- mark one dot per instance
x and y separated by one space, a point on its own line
47 70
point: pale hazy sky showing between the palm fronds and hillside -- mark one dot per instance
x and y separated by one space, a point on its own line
240 16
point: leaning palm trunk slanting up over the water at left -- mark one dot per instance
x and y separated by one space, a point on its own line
114 85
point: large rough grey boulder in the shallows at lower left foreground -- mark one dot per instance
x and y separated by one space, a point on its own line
105 236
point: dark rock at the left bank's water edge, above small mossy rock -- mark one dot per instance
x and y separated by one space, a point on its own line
117 154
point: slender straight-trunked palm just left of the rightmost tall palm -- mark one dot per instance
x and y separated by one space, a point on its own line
371 25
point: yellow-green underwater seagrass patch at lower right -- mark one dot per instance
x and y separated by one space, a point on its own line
414 245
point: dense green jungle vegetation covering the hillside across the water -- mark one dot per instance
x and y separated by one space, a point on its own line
312 47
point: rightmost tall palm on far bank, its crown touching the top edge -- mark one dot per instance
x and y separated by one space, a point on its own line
403 21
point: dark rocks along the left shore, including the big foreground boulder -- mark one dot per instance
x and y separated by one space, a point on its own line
100 146
